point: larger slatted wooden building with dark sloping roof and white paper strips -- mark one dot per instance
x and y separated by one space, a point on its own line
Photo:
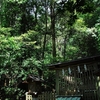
78 78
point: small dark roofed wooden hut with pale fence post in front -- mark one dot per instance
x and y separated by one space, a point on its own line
32 87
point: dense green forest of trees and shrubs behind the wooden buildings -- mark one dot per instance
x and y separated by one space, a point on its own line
36 33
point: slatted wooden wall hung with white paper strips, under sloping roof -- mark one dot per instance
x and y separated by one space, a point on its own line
79 80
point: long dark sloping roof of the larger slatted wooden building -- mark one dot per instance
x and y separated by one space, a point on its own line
75 62
